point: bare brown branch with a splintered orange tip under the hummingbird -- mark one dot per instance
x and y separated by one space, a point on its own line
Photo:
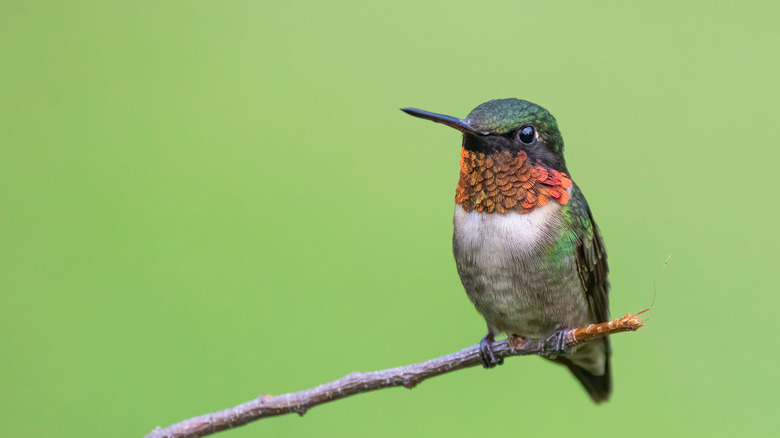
408 376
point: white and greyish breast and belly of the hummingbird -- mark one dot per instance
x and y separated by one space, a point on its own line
503 263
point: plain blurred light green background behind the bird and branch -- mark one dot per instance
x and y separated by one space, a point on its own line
206 201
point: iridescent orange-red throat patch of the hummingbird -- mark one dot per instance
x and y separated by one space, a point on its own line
502 182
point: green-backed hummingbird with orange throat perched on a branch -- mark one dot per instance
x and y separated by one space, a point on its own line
527 249
